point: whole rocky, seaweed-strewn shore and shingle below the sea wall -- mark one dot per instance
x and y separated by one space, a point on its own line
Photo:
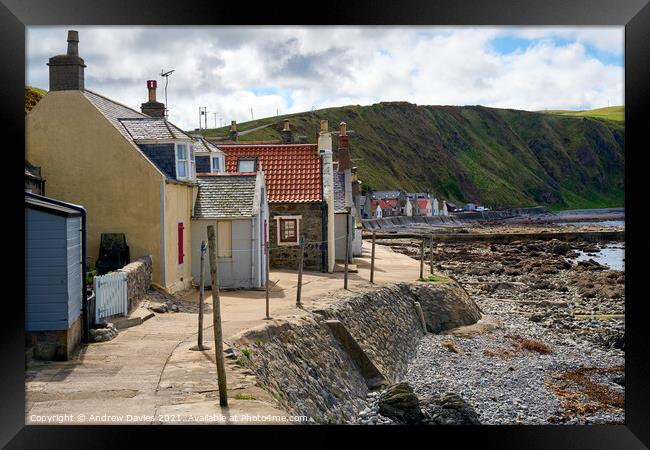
550 348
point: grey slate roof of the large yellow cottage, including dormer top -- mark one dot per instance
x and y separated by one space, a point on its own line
133 124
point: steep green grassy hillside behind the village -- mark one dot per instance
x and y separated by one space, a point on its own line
496 157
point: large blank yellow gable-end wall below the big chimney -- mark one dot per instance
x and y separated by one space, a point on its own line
86 161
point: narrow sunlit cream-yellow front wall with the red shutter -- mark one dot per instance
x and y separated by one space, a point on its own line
178 204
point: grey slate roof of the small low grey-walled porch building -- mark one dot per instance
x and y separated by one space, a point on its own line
225 195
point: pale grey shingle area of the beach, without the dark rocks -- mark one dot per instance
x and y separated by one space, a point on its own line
510 385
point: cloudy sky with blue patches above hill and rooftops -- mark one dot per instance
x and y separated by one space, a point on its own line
275 70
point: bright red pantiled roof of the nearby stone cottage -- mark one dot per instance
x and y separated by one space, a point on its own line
292 171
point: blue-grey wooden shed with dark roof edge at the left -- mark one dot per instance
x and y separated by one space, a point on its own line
54 270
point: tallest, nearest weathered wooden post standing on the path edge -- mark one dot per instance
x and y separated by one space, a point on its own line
216 317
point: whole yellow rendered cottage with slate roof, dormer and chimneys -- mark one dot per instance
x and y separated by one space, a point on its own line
133 171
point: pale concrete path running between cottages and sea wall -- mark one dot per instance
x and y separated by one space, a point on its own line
147 374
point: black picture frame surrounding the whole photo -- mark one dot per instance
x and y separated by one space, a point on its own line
15 15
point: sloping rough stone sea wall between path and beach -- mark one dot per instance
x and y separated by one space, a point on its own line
308 371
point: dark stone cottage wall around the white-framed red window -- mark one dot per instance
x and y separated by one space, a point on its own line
286 257
